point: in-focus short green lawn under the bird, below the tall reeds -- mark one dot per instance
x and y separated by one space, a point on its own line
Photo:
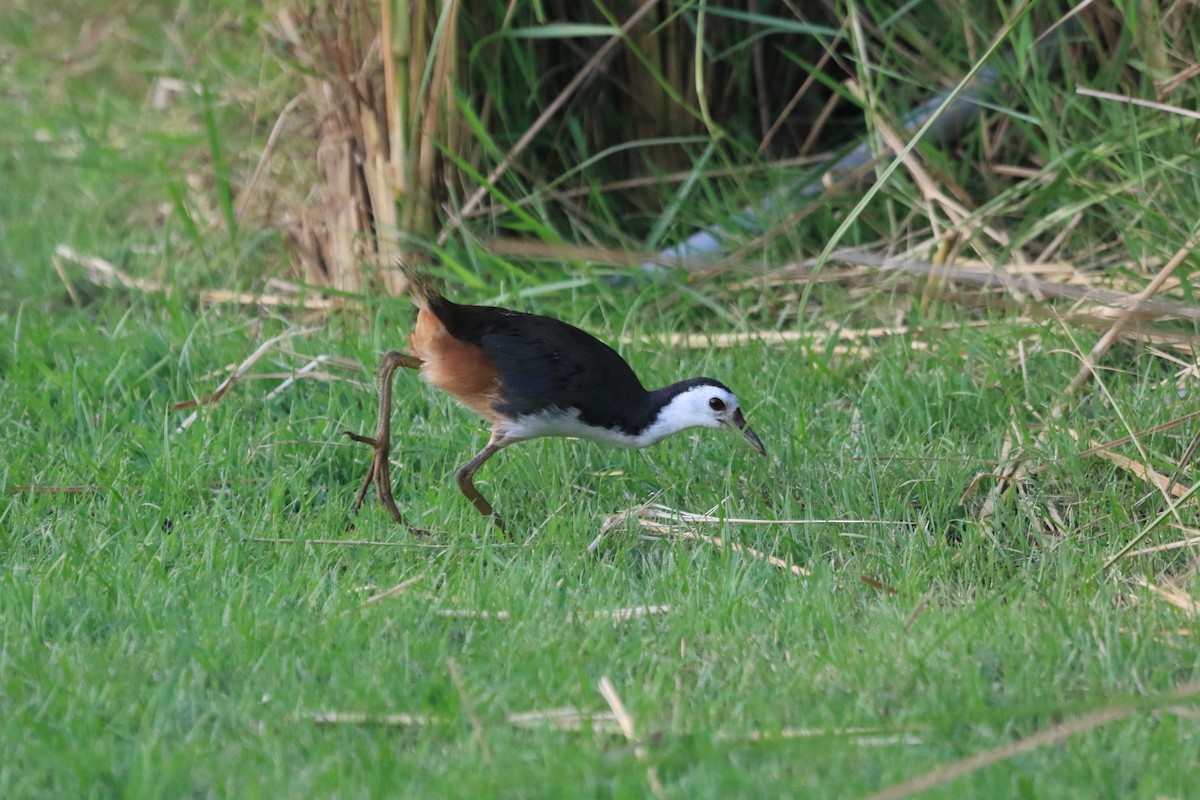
153 649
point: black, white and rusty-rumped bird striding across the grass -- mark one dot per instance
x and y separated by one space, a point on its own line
531 377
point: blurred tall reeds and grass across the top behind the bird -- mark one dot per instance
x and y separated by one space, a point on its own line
326 142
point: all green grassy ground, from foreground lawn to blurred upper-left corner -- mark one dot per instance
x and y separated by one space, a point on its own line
190 610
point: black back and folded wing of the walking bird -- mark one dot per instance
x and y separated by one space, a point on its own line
547 364
